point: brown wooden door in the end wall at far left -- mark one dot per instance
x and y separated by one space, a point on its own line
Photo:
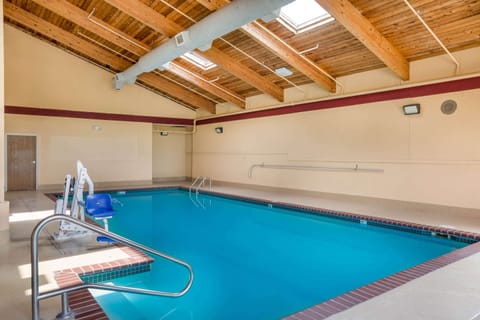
21 162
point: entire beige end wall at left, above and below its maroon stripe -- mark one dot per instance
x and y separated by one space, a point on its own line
40 75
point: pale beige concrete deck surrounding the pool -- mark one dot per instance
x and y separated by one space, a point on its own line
450 292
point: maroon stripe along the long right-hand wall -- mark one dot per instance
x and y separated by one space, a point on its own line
418 91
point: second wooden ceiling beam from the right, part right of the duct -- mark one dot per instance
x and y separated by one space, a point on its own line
288 54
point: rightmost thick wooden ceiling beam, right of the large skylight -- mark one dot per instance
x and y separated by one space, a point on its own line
360 27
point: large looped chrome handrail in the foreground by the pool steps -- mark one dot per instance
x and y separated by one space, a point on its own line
36 296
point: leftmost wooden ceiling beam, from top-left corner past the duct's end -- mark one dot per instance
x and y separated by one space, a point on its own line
102 56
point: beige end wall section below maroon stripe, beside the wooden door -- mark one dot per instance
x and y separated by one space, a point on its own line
120 151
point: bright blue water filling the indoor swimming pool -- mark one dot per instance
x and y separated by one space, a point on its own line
251 261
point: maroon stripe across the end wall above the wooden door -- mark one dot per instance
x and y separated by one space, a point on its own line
95 115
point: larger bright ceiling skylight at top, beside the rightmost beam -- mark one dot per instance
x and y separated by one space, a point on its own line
303 15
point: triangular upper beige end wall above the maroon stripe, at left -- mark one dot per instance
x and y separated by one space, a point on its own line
40 75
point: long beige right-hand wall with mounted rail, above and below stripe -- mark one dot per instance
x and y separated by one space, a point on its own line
431 158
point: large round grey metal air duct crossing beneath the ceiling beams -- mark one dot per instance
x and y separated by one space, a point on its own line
201 35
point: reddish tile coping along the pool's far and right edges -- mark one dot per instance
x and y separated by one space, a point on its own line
349 299
